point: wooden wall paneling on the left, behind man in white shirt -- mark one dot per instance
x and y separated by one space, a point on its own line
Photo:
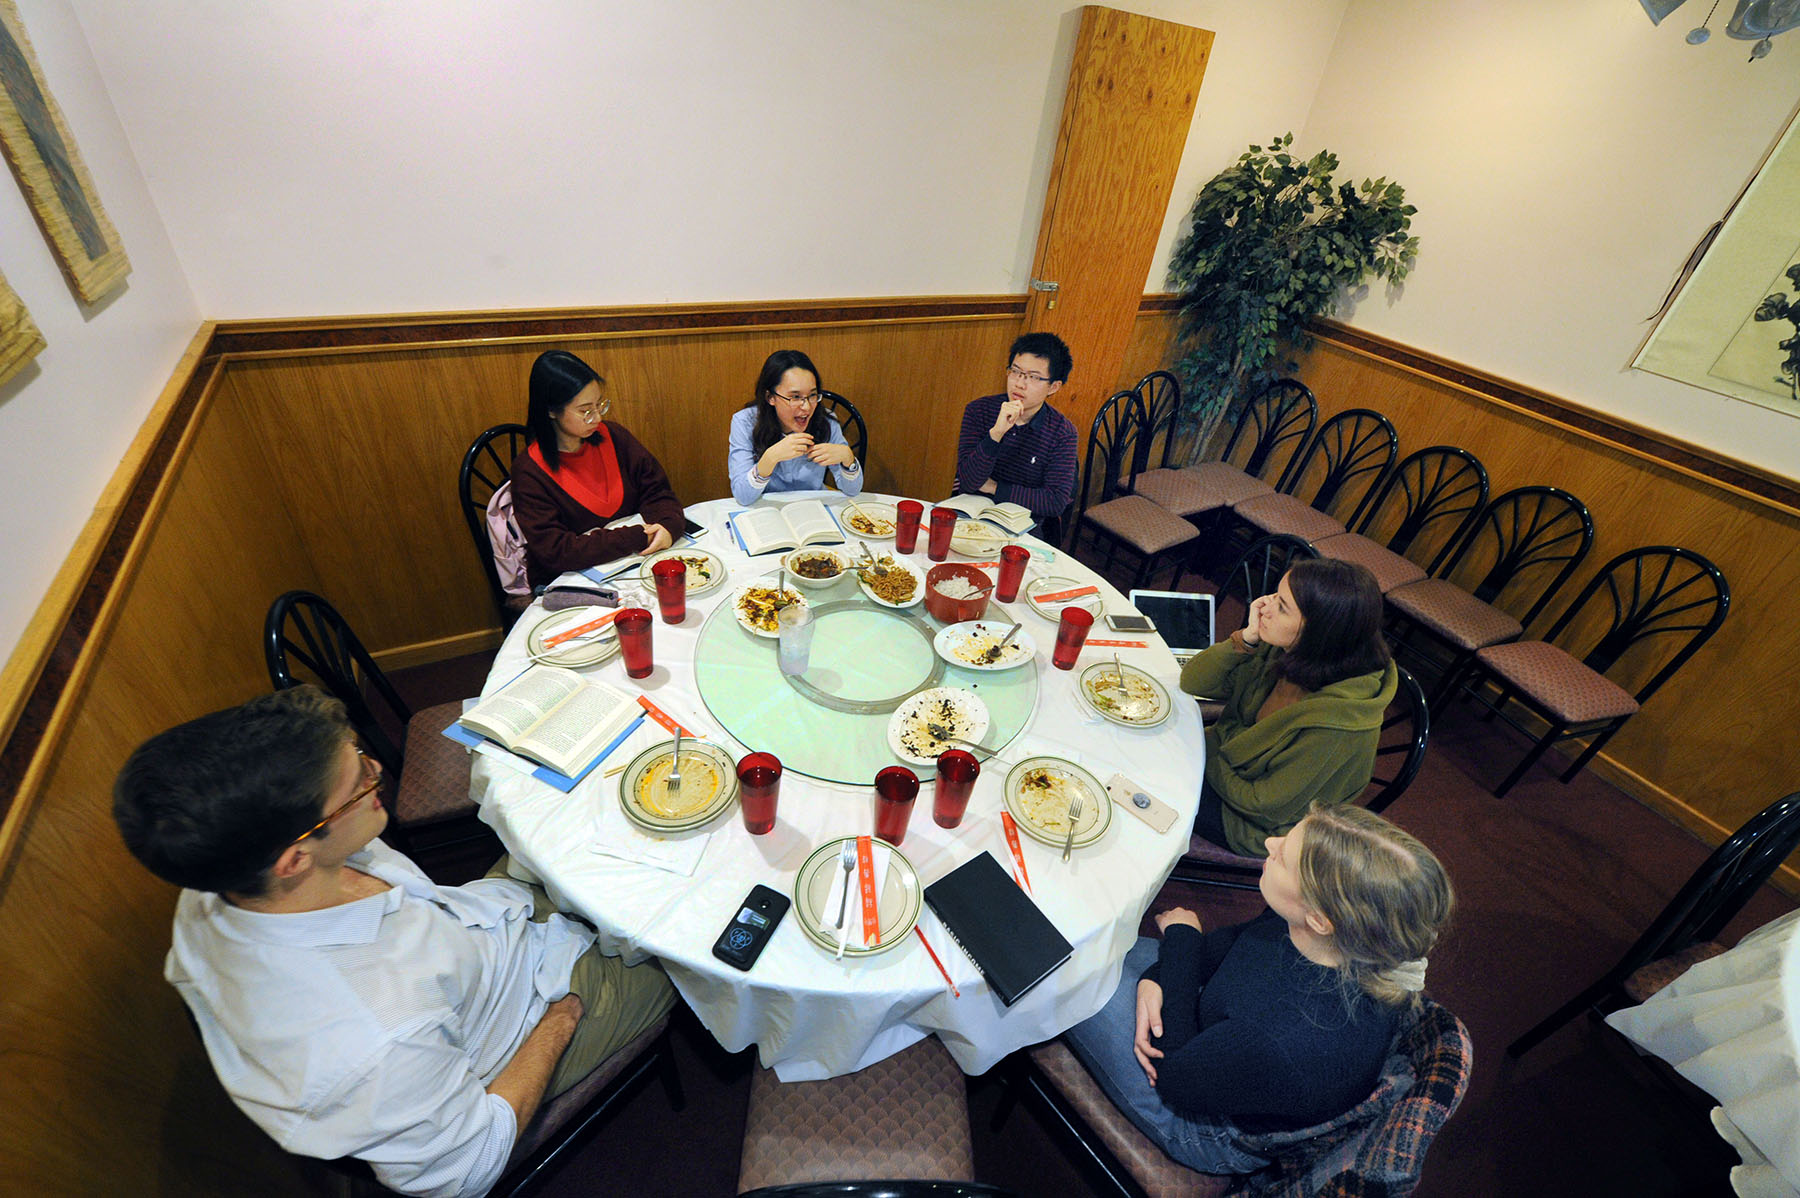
102 1055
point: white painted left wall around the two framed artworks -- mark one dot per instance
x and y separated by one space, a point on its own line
69 418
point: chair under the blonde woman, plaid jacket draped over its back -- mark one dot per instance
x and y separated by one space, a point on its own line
1376 1149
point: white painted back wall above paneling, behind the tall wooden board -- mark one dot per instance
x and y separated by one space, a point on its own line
411 156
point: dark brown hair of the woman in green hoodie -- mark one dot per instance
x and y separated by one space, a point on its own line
1340 632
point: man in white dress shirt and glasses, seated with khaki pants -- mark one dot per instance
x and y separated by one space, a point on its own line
352 1006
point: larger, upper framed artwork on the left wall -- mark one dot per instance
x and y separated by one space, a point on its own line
51 172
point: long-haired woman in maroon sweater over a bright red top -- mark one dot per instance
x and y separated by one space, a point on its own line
582 472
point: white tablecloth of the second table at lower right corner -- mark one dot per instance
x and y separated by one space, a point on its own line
1732 1028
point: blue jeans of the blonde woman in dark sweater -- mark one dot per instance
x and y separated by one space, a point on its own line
1104 1044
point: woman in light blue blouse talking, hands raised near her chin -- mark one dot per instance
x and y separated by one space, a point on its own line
782 440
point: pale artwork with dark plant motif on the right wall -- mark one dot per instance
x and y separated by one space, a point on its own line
1729 325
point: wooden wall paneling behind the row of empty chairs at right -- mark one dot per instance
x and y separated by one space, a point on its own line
1711 747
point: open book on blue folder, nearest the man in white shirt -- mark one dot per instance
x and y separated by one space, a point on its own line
553 717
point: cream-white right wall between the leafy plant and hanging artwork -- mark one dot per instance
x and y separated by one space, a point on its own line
1565 159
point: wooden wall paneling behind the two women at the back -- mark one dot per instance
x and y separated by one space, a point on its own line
368 445
